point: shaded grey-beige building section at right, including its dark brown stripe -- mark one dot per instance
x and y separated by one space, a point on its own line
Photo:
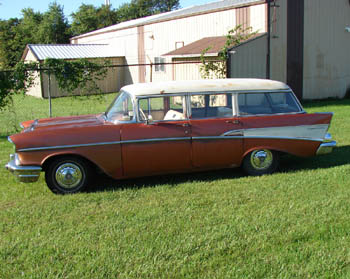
309 46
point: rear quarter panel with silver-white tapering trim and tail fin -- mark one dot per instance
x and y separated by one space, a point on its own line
297 134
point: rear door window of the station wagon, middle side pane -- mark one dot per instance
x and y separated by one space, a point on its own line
211 106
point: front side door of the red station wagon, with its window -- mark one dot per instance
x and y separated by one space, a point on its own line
159 142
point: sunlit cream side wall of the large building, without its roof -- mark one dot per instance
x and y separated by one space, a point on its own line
160 38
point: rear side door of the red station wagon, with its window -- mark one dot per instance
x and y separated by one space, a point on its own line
216 133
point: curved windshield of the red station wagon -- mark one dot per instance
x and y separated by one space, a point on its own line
121 109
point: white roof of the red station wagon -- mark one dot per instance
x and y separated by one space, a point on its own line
206 85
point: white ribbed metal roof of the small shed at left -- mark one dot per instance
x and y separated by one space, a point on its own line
74 51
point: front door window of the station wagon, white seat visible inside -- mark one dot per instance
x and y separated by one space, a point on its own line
165 108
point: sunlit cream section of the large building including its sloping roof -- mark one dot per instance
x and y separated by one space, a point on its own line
153 39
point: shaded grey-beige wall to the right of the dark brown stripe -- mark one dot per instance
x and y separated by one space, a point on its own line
326 49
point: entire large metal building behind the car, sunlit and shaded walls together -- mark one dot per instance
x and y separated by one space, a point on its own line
304 43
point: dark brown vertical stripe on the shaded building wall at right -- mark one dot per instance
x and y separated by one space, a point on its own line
295 46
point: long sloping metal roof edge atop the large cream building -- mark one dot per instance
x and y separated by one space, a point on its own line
185 12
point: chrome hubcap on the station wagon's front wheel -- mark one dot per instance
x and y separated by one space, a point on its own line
68 175
